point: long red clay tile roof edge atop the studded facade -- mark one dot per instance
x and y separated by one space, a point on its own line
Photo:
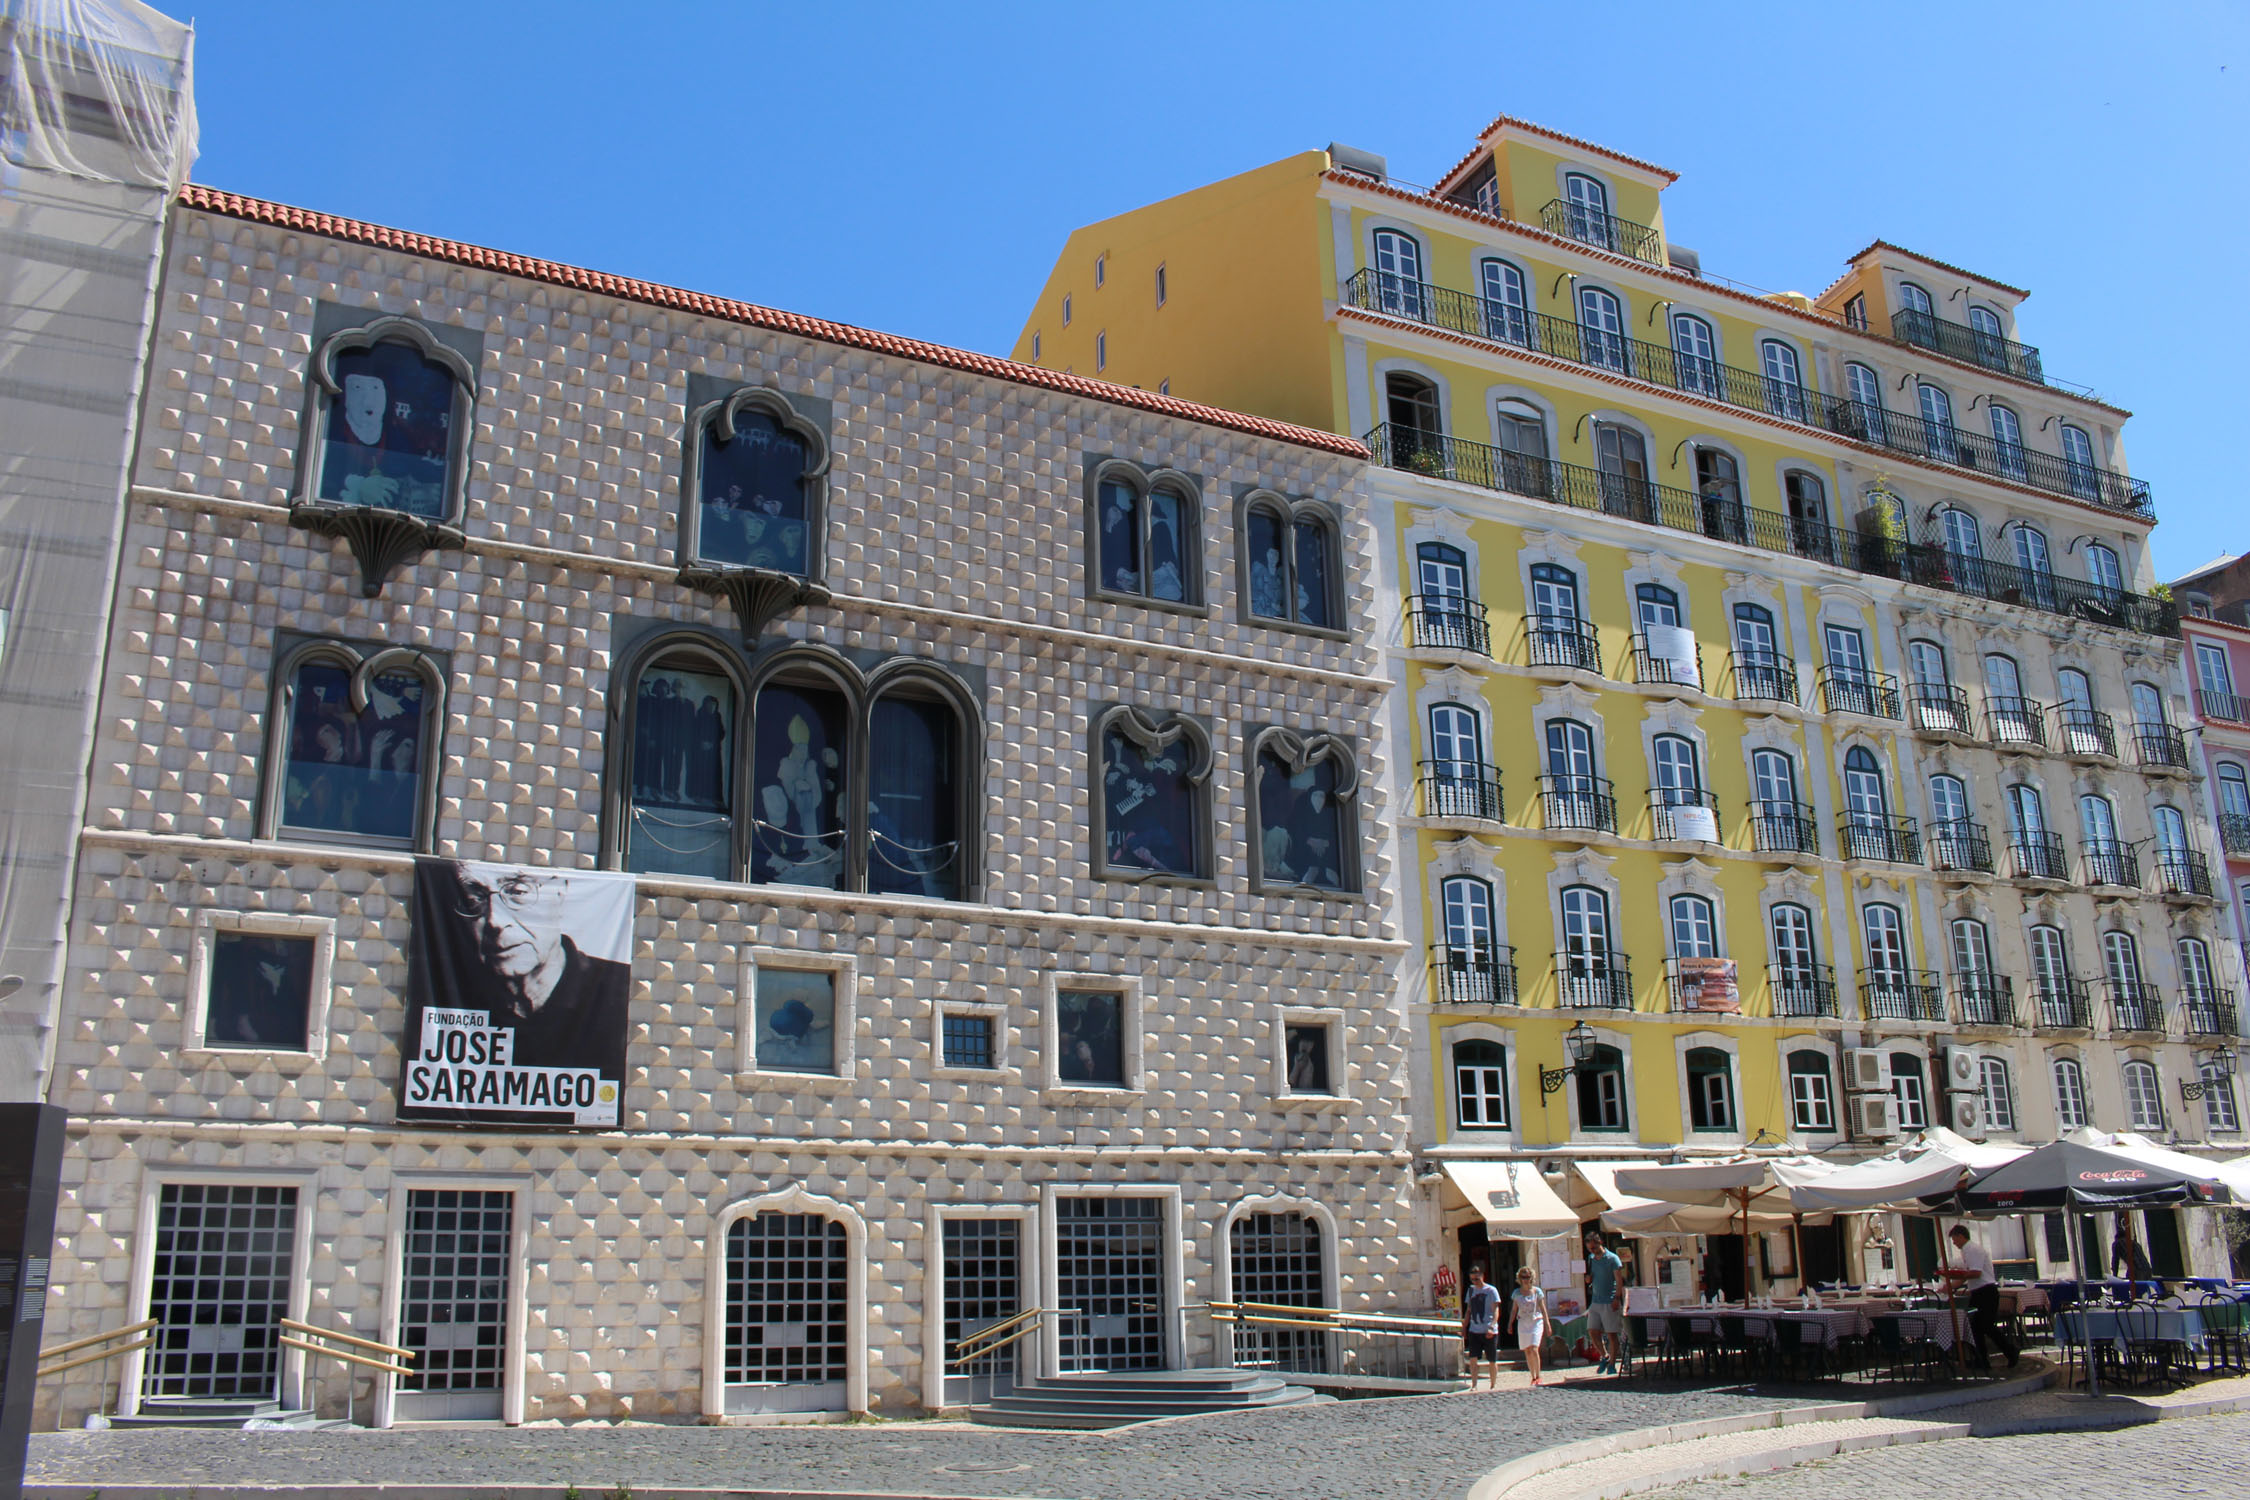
656 296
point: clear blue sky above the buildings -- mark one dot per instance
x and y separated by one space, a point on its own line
915 168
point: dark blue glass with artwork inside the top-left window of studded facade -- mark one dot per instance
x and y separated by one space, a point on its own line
390 431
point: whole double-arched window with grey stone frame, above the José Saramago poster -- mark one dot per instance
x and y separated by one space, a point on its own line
354 746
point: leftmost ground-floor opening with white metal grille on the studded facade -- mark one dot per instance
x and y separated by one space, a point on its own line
219 1290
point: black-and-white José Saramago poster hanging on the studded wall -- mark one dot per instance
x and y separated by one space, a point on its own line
516 995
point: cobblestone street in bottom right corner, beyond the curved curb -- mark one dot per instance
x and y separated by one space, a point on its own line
2199 1456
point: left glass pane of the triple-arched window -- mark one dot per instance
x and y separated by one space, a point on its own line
683 795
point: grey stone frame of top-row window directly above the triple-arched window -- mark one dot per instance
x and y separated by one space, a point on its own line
759 595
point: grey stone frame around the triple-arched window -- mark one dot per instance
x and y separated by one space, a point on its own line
858 689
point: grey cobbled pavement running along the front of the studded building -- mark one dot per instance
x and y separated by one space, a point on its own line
1389 1449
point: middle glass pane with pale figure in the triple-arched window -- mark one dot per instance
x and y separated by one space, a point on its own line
798 786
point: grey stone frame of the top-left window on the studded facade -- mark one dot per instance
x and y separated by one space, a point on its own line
381 539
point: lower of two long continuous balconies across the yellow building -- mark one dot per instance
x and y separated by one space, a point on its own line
1729 521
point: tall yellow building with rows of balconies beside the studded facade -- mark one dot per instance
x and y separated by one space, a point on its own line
1792 725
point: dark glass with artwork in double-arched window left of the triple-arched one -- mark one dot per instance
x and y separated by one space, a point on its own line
354 772
